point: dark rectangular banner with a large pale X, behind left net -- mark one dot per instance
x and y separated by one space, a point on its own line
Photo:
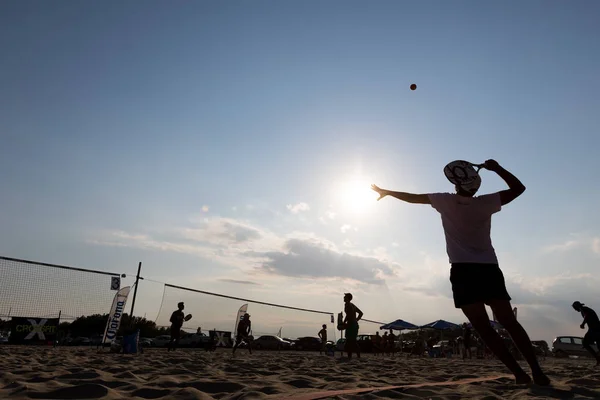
26 330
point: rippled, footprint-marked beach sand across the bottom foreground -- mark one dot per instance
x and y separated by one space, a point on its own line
83 373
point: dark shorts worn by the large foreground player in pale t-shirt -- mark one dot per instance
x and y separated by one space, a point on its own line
477 283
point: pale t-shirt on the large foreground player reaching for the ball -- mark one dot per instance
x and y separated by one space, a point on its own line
467 223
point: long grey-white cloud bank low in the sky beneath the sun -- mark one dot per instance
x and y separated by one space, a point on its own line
255 250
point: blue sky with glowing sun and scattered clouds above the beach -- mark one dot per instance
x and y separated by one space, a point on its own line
230 147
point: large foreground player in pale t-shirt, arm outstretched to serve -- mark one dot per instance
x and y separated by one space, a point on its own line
475 275
